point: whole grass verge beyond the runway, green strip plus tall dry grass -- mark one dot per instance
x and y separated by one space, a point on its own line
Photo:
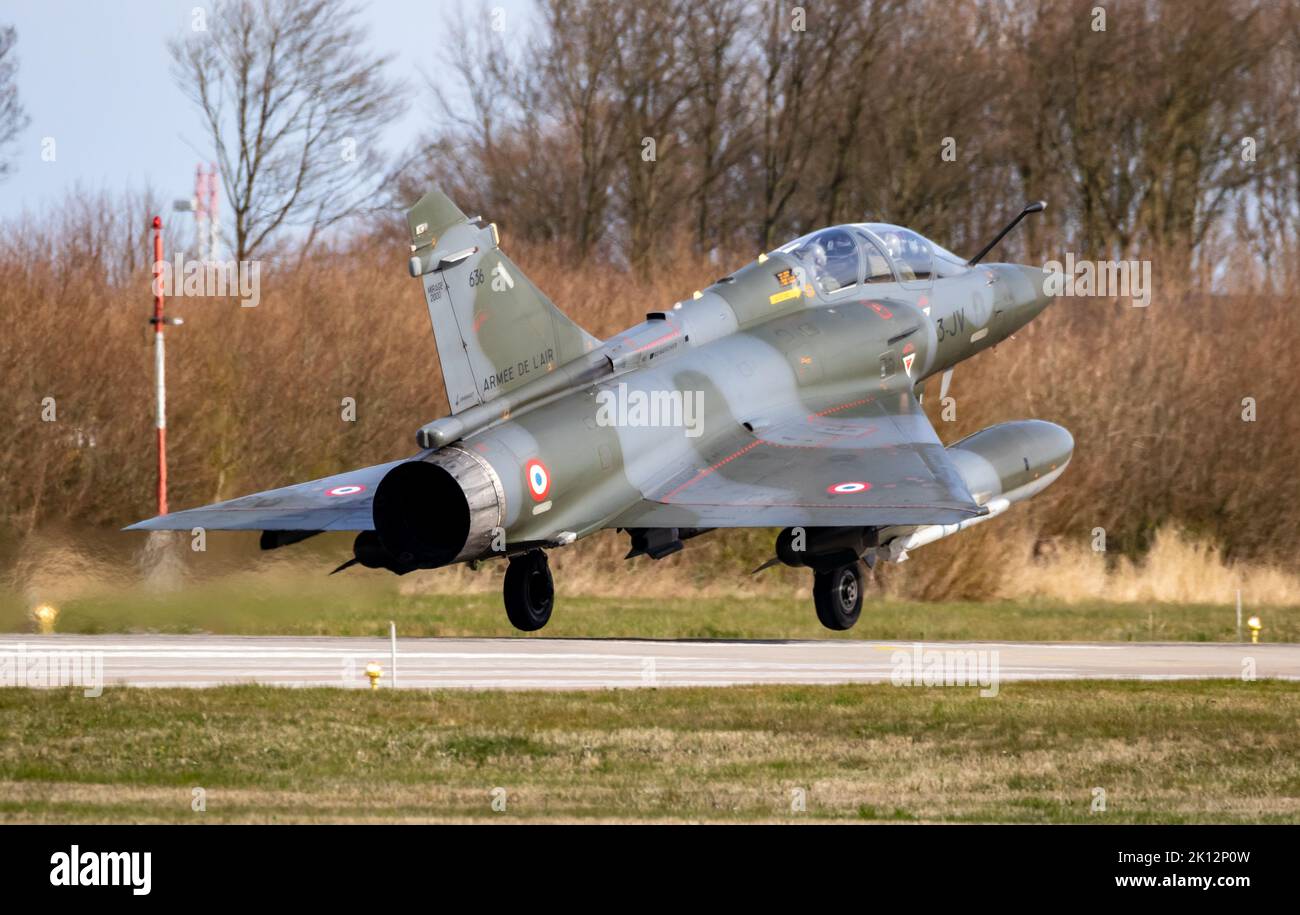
1181 592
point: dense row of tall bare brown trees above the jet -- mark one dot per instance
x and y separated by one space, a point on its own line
772 119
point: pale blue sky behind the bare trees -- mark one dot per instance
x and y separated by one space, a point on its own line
97 77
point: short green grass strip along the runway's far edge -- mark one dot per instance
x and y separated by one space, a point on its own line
310 609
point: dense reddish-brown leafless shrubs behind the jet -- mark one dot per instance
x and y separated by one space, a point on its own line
1154 397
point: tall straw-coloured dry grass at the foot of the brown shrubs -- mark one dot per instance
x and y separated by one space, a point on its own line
983 565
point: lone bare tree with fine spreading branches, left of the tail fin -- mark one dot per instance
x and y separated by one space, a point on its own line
294 106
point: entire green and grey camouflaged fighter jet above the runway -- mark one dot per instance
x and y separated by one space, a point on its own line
785 396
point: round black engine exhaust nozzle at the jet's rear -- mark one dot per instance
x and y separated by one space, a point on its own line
444 509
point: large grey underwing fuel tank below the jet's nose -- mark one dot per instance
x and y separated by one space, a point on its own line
1000 466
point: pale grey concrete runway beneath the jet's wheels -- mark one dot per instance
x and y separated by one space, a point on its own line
565 664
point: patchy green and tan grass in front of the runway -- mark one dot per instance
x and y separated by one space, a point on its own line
1177 752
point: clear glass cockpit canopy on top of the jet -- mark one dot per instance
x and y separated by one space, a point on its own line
843 258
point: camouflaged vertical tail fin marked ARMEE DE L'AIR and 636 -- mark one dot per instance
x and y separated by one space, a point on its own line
495 329
